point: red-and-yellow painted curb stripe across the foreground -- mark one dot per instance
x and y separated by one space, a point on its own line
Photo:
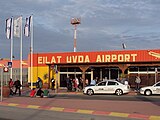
83 111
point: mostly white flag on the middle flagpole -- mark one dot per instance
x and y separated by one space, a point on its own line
17 26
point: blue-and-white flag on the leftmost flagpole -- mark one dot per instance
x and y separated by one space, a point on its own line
9 28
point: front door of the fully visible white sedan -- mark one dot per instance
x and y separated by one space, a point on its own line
100 87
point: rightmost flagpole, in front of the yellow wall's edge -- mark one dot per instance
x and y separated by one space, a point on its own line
31 51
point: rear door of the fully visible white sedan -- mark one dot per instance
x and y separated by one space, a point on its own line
111 86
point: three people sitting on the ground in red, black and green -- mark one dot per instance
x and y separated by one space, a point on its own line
39 93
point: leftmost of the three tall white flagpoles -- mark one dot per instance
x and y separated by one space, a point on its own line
11 46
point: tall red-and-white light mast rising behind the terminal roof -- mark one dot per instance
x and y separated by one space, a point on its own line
75 22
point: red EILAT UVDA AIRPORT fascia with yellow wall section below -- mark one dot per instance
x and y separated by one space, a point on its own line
116 58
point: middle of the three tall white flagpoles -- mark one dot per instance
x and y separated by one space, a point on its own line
21 54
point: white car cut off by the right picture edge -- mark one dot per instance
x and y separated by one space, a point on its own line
149 90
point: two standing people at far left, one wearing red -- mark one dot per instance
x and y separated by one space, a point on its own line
17 85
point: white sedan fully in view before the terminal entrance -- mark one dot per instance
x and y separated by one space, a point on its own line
107 87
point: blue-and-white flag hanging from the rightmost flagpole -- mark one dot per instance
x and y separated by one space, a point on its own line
27 26
